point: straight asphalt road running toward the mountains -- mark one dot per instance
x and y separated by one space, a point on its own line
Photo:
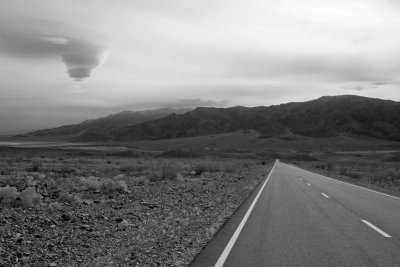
299 218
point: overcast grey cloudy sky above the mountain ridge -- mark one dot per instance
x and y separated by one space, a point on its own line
63 61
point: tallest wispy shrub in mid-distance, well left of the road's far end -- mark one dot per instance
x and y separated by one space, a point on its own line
163 170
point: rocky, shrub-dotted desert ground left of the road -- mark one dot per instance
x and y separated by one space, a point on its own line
86 218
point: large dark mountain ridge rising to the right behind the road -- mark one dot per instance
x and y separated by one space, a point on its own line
323 117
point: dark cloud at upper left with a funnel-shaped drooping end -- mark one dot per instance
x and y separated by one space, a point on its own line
40 39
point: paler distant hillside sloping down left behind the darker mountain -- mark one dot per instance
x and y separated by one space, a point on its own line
100 129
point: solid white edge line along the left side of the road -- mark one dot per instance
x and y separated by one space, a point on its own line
229 246
